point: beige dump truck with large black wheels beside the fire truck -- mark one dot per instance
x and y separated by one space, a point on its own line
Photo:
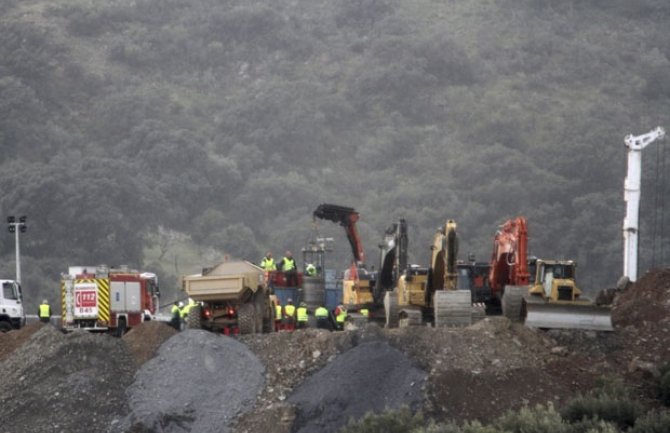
231 298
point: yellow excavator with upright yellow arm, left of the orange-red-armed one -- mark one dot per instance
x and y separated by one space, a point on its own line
424 295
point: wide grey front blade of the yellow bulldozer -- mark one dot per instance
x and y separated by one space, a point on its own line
565 316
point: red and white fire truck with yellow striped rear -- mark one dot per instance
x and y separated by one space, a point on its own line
99 298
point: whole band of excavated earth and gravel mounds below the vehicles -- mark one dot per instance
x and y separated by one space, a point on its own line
157 380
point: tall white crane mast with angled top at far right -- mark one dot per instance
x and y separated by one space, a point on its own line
635 144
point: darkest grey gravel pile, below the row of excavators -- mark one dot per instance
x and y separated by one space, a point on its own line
372 376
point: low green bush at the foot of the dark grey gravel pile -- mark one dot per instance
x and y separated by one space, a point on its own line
391 421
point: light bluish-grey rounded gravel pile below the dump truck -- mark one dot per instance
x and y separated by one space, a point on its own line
198 382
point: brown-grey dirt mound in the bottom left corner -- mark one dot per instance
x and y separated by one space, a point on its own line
58 382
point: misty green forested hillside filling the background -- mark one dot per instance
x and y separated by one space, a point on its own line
164 134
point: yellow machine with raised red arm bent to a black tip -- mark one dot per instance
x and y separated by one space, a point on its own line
358 283
